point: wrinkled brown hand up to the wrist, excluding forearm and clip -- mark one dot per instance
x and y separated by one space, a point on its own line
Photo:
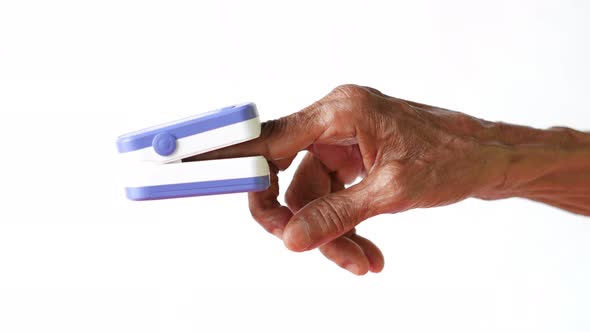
409 156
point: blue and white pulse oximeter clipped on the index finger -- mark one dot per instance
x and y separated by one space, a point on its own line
157 152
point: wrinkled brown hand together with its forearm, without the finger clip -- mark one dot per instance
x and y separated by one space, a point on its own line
409 155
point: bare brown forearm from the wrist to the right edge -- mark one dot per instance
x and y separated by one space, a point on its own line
550 166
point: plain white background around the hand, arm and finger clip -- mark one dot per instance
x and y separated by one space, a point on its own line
75 255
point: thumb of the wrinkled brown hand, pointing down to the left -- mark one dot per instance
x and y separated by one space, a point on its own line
331 216
